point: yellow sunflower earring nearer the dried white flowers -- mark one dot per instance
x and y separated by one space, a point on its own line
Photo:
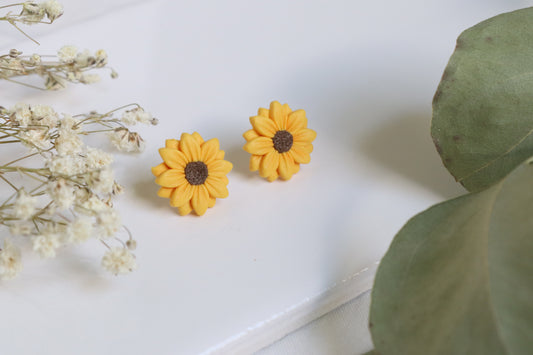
193 173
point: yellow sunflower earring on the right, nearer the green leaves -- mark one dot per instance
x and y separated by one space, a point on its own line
279 141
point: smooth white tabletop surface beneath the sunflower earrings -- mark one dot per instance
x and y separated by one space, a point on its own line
365 72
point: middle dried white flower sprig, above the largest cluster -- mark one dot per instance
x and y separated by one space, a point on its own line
70 65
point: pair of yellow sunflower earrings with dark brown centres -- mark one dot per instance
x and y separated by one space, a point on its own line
193 172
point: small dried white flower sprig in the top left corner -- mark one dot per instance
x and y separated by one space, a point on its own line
31 13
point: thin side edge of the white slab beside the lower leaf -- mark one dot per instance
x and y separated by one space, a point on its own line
296 316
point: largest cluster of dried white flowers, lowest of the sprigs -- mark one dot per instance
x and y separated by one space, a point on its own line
62 188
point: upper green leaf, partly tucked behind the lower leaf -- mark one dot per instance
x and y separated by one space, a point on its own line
483 109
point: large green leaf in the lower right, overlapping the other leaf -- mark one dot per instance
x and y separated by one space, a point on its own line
458 278
